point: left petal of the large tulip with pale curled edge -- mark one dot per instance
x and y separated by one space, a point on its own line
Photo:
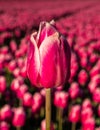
33 61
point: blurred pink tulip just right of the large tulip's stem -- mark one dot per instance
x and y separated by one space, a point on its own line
61 99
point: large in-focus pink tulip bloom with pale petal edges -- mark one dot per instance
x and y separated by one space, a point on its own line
55 70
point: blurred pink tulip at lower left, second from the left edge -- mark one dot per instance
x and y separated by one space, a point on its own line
19 117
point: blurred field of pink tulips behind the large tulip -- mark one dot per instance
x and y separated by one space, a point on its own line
75 105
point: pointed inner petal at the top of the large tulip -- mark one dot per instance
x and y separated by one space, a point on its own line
45 29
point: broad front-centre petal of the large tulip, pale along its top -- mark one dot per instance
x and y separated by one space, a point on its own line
48 51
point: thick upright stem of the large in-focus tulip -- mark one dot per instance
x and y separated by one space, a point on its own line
48 108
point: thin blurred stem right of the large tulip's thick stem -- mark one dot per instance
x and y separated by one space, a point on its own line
60 115
